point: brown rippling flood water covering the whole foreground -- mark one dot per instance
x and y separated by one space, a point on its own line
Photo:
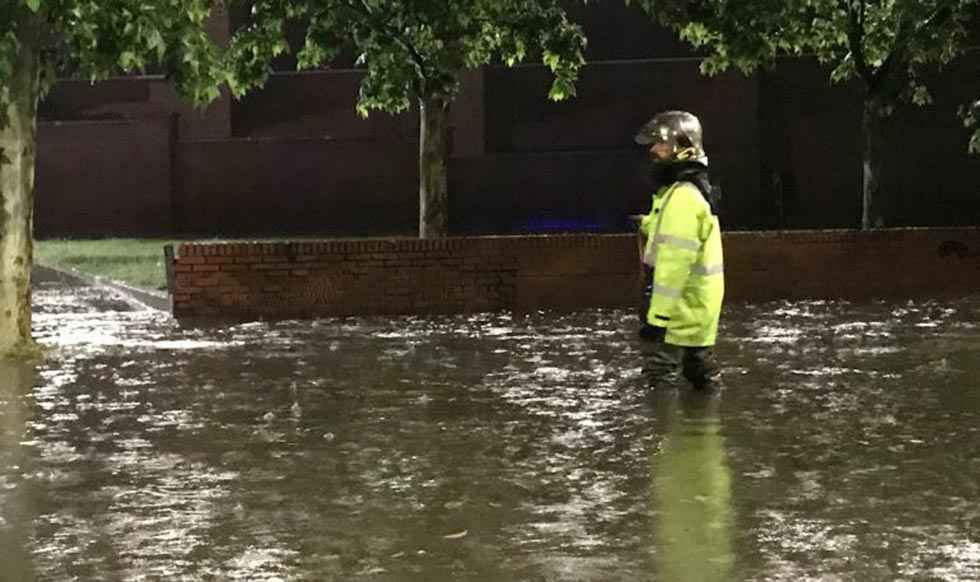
843 445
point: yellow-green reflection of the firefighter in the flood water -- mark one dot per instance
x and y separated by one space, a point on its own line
691 493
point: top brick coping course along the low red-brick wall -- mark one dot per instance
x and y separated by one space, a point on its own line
406 244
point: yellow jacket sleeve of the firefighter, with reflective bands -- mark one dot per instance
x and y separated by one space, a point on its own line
678 244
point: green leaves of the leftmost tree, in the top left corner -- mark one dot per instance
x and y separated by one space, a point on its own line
99 38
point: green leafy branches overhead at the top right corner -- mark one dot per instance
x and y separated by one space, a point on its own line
887 44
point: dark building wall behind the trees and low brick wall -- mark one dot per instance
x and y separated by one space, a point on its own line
126 158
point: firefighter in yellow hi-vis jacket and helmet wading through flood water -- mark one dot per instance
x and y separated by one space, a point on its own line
683 252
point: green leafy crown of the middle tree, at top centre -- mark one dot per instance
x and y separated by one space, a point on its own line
410 48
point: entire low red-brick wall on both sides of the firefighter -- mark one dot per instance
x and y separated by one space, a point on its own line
391 276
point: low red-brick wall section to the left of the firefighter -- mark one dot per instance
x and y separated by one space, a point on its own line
401 276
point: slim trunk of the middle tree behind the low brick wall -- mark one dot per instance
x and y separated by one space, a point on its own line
433 163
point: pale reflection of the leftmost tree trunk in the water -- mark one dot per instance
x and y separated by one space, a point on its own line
16 382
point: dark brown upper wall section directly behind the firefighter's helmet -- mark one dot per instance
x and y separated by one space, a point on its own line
613 101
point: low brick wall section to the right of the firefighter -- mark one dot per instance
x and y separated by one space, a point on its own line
850 264
